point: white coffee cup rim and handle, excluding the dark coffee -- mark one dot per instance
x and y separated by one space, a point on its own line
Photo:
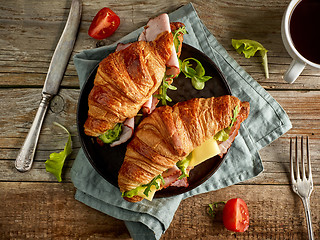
299 62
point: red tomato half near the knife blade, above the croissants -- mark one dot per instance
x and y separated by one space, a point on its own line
104 24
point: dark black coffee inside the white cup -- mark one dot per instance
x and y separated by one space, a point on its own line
305 29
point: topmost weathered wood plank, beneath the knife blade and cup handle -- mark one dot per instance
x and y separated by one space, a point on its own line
30 51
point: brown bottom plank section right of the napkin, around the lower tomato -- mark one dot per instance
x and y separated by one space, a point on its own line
276 215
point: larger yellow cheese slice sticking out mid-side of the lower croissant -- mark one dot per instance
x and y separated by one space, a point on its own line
205 151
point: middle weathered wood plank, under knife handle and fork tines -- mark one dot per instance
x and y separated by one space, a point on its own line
303 112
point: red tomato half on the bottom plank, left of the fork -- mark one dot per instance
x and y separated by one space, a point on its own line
236 215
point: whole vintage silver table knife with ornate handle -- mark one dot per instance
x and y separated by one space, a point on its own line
54 77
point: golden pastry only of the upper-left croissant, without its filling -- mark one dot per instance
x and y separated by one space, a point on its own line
125 80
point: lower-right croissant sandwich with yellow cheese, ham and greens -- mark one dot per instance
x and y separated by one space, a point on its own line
168 143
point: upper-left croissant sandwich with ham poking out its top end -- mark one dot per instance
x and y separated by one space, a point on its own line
127 79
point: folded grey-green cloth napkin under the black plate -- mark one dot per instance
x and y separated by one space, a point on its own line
267 121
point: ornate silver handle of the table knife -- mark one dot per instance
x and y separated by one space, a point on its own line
25 157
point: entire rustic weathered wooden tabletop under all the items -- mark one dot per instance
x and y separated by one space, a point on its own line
34 205
